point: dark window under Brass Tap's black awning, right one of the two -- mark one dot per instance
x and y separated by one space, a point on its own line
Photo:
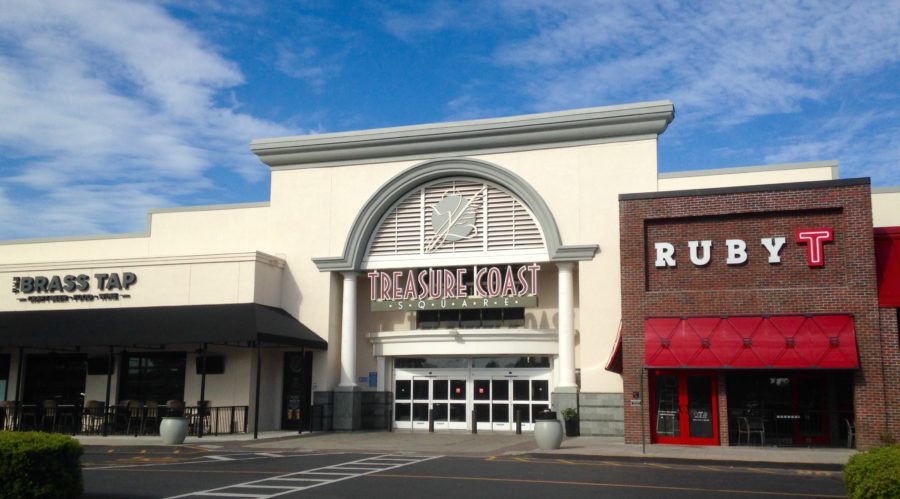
153 376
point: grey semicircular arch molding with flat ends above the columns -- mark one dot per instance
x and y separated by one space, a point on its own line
386 196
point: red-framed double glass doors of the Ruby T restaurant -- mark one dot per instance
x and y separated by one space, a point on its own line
684 408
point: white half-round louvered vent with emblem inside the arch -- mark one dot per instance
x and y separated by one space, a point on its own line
456 216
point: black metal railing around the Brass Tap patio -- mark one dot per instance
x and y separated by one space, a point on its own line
134 419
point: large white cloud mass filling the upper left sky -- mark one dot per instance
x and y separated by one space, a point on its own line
108 109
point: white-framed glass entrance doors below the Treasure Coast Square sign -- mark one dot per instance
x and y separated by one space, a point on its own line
492 390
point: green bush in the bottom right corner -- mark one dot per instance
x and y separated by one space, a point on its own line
874 473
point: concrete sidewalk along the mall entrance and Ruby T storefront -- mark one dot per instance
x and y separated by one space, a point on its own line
493 444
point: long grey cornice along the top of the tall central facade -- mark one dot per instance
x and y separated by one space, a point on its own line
533 131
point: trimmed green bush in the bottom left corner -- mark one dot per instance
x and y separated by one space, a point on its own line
35 464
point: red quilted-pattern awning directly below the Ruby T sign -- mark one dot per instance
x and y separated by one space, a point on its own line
756 342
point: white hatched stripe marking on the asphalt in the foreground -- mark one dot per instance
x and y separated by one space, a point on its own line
264 487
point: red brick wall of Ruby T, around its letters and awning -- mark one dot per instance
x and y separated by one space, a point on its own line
846 284
